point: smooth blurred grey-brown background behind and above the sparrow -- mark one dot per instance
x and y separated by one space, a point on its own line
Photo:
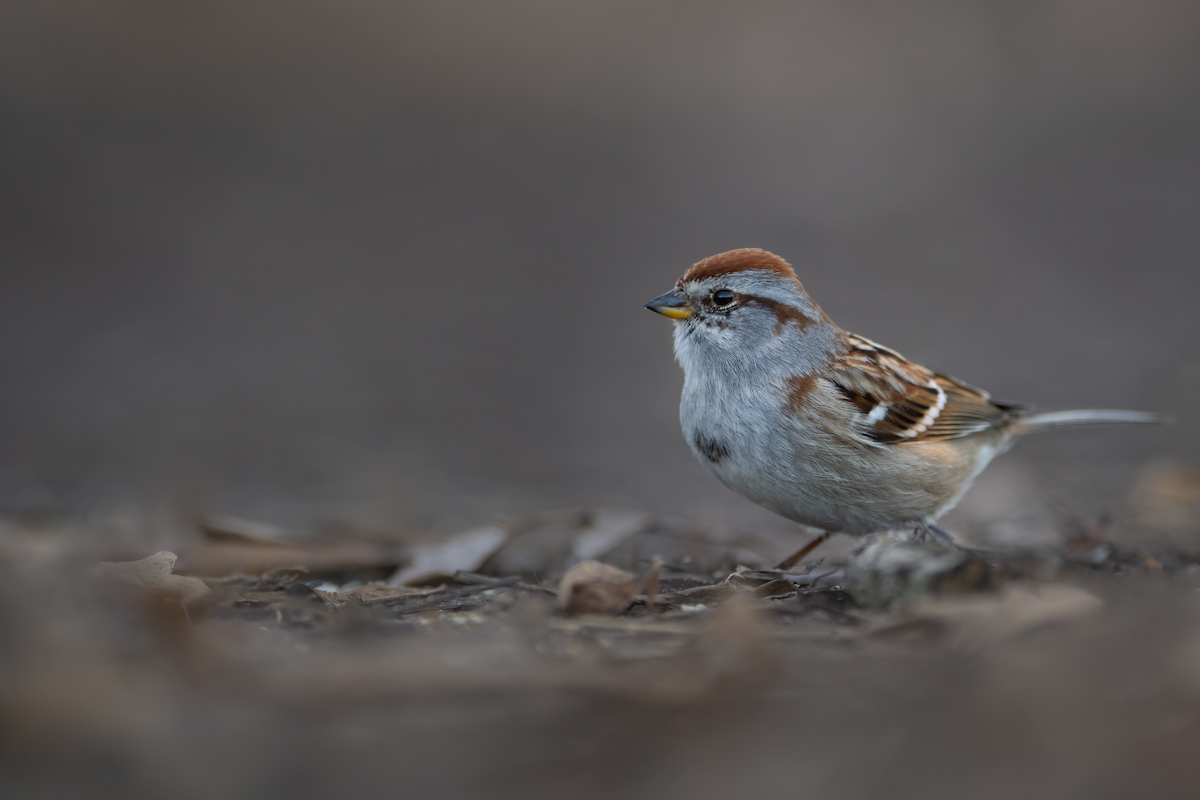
386 262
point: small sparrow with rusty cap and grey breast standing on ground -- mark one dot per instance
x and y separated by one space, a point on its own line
824 426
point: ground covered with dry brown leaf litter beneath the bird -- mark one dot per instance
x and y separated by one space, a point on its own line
645 640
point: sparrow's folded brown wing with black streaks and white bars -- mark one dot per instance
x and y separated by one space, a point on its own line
902 401
